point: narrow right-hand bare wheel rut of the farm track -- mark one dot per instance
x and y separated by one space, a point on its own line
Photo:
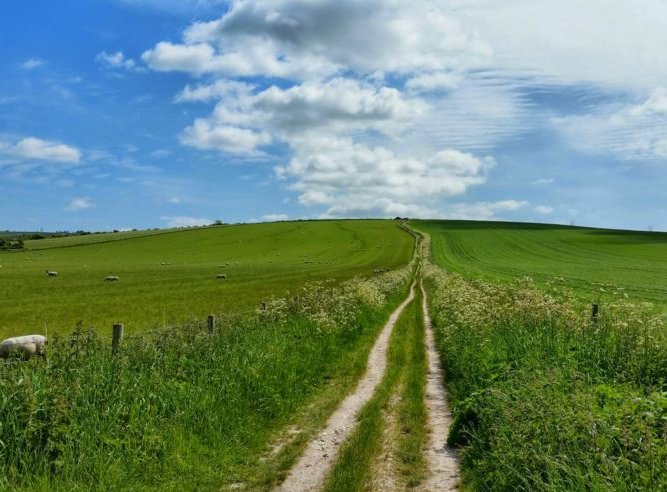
442 460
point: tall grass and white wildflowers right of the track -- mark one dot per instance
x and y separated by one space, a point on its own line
544 397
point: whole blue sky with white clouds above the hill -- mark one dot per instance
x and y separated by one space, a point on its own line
145 113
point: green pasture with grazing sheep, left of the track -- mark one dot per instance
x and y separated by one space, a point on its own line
168 277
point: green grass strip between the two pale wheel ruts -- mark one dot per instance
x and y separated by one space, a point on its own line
406 374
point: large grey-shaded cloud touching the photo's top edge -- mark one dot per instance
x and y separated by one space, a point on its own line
300 38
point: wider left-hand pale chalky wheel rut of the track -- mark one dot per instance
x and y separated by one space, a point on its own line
312 468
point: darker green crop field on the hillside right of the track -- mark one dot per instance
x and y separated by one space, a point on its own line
583 259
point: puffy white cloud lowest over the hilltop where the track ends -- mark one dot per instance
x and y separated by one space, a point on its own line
353 179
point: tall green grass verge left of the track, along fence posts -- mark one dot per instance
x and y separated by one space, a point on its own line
180 408
